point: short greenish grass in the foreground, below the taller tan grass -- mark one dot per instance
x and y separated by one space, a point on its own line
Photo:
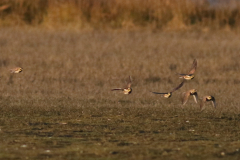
116 132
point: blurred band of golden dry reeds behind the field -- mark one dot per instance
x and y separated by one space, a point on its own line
118 14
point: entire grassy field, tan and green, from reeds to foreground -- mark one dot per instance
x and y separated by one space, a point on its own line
61 106
